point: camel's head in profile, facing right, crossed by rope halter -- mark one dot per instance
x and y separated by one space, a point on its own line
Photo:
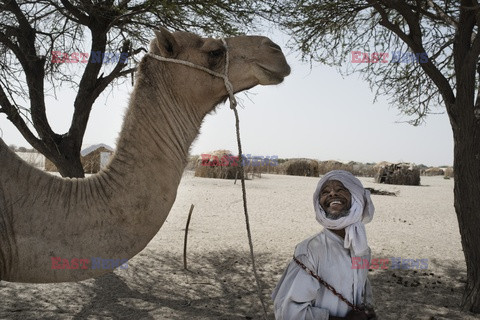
252 60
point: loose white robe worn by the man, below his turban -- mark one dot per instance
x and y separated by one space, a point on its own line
299 296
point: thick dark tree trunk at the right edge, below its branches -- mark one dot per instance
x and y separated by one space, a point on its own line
467 200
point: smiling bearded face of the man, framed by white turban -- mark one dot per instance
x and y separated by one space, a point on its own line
335 199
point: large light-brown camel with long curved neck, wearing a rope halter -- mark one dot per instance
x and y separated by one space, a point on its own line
48 224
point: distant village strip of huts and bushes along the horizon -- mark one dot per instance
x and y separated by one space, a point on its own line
223 164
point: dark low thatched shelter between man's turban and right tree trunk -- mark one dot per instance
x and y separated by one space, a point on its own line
398 173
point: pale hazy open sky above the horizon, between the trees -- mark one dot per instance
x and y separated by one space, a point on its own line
315 113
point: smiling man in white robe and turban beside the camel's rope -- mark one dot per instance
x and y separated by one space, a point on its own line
342 207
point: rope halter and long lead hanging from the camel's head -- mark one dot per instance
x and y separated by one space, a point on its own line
233 104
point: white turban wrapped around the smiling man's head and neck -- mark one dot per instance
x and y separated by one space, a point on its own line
360 212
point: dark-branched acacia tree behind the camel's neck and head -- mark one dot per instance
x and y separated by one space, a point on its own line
36 35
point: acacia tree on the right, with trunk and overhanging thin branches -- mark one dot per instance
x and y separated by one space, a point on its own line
444 36
